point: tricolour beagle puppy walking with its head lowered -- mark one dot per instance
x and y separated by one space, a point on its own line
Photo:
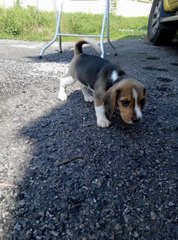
106 84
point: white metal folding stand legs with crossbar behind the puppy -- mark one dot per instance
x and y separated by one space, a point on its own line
101 36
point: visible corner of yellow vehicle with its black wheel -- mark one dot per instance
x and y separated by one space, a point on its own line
163 21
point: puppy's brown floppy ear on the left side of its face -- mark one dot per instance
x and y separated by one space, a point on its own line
110 99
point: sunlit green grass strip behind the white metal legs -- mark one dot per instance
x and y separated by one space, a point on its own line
30 24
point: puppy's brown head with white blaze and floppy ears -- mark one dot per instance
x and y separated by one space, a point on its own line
129 96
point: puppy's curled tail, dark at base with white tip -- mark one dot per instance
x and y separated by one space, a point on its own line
92 43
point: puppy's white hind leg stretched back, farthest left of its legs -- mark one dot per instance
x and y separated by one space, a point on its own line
62 95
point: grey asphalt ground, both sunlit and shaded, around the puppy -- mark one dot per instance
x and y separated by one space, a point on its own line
61 176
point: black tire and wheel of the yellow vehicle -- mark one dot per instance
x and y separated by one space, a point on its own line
159 33
